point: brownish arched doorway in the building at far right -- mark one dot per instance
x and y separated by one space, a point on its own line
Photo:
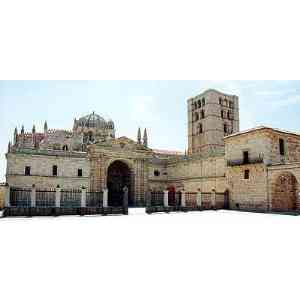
285 192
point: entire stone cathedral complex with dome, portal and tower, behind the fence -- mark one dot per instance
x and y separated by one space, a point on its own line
260 167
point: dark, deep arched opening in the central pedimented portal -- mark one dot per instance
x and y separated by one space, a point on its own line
118 176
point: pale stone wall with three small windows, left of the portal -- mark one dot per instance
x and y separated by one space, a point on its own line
41 171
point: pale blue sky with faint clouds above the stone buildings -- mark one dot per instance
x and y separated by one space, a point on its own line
159 106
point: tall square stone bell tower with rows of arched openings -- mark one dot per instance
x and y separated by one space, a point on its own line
211 116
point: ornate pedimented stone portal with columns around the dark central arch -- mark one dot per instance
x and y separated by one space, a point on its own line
117 163
